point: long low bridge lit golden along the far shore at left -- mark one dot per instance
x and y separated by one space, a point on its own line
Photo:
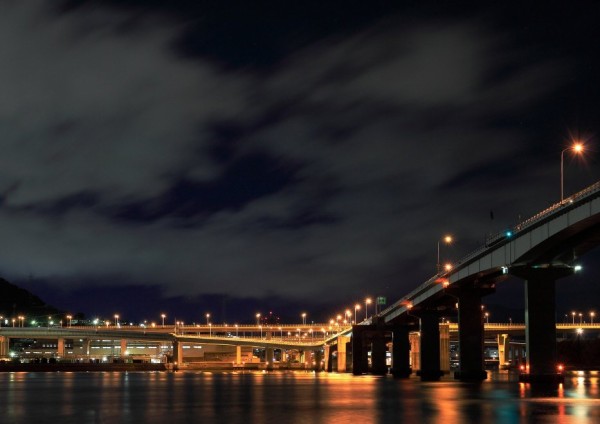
159 341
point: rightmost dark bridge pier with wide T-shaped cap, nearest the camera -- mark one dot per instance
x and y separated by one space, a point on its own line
540 321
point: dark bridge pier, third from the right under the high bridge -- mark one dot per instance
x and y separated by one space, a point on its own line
430 346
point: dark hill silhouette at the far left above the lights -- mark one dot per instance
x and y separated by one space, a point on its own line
15 301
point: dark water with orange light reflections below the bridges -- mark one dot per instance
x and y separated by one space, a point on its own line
282 398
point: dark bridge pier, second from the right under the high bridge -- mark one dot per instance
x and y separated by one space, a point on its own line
470 337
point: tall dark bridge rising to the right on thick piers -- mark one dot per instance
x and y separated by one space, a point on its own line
540 250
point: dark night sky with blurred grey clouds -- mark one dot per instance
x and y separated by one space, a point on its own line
188 156
